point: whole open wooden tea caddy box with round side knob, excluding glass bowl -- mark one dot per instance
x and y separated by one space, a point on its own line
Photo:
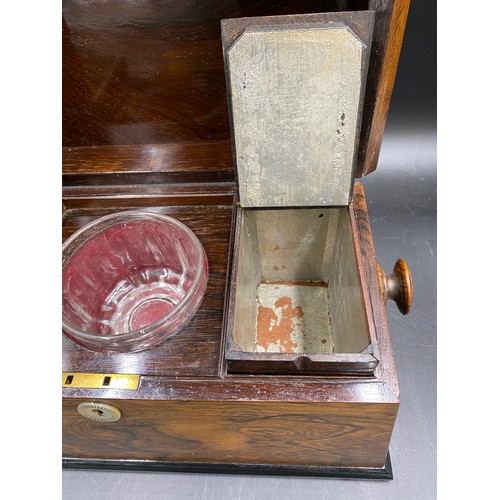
287 367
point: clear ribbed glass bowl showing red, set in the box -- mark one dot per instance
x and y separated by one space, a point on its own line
130 280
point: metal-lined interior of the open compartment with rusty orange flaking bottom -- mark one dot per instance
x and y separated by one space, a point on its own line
300 291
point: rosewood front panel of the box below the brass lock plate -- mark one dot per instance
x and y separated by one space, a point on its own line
256 432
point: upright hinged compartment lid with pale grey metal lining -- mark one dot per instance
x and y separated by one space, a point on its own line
296 90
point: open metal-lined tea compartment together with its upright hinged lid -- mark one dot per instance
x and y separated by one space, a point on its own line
296 95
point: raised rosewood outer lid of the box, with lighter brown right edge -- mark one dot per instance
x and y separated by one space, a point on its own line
137 74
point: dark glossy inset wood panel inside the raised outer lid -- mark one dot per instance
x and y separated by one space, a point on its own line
140 73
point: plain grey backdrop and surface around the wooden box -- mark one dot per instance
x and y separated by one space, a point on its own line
402 205
